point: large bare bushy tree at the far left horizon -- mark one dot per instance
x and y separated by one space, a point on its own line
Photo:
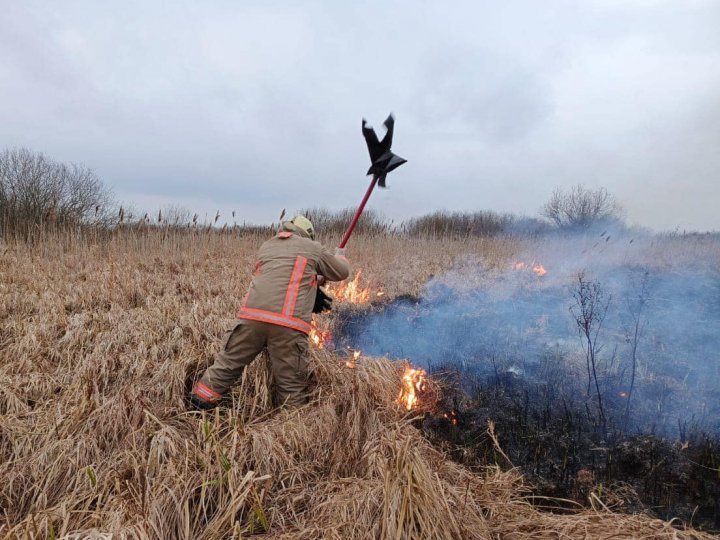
37 193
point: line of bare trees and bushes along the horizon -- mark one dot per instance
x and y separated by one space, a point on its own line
39 195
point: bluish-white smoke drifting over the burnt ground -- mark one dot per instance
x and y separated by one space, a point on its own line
658 310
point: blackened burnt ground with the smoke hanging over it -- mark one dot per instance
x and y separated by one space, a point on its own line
601 379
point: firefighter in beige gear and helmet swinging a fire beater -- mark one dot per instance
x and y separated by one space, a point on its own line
275 314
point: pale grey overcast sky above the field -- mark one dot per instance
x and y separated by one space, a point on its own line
256 106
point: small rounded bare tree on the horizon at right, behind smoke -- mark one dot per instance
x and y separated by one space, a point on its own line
581 207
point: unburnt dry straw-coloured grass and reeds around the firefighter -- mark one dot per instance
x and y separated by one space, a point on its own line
97 345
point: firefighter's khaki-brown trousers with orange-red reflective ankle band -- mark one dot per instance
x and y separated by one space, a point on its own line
288 352
